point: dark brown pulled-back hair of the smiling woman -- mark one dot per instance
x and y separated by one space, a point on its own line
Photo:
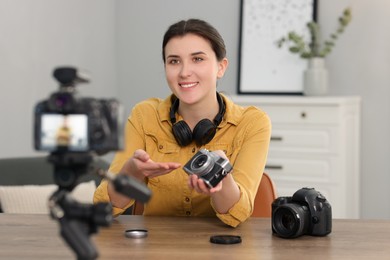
200 28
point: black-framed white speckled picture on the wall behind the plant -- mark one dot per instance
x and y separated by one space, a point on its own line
264 68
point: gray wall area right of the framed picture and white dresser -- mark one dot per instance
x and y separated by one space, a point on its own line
360 65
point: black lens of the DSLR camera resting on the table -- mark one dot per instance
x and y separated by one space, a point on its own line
291 220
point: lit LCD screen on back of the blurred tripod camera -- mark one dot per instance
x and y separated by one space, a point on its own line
60 131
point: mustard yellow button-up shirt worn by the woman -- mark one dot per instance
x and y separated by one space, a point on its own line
244 135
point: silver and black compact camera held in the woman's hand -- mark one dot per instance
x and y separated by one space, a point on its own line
209 166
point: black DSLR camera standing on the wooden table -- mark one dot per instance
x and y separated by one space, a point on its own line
307 212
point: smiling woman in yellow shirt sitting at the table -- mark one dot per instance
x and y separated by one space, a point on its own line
163 135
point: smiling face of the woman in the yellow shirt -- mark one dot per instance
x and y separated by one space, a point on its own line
192 68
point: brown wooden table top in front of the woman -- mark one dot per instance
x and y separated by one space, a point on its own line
37 237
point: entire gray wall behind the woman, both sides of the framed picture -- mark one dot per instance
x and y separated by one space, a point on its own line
120 42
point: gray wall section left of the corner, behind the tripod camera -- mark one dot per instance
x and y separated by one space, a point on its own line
37 36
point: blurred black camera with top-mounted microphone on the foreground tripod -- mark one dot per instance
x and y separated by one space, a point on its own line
66 123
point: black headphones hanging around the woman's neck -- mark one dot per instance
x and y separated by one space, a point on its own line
204 130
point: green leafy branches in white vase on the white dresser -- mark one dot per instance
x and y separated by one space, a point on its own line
315 77
